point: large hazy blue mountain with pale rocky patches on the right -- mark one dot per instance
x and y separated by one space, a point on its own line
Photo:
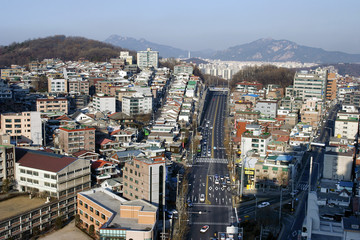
282 50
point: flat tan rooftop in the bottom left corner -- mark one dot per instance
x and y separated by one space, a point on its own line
18 205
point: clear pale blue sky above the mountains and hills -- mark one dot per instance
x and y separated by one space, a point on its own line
190 25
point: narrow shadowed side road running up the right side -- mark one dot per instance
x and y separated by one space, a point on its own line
317 153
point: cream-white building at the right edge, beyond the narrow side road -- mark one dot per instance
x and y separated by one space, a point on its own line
346 125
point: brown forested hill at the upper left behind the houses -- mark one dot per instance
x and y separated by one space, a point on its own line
59 46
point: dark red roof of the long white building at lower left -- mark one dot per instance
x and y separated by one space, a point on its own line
42 160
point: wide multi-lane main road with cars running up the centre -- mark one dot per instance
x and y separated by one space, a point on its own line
215 208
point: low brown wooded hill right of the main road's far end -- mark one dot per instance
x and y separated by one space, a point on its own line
266 75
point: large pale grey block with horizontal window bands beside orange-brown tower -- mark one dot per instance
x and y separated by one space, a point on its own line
310 84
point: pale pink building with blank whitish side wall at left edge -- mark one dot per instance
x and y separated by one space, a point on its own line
22 127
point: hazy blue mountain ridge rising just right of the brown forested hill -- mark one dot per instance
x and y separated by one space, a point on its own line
142 44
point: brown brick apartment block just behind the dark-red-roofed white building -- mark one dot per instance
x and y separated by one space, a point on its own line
73 139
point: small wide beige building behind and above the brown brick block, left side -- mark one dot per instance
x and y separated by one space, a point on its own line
52 105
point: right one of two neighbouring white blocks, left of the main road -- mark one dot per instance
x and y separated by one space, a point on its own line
137 104
